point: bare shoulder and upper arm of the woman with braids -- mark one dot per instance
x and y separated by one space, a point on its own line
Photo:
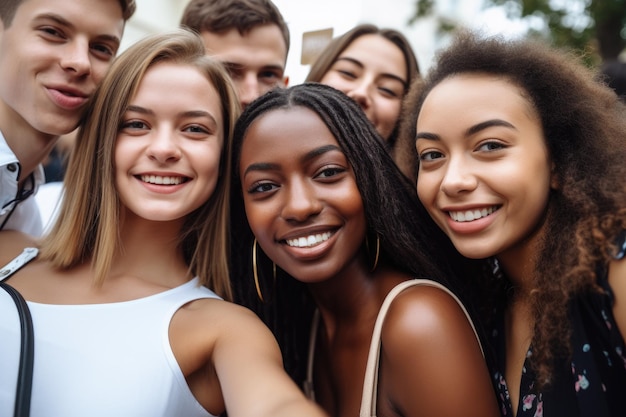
431 361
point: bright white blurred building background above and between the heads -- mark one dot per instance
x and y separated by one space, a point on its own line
341 15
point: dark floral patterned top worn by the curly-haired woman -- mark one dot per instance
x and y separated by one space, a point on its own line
592 383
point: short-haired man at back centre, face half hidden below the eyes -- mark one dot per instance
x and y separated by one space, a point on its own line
249 37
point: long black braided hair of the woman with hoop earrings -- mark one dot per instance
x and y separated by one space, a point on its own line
408 237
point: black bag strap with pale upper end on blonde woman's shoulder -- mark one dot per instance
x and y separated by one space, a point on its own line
27 344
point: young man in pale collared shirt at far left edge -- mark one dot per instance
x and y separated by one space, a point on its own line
53 53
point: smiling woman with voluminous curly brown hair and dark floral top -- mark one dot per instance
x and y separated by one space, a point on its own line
521 156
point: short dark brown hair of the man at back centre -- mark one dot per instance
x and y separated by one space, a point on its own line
219 16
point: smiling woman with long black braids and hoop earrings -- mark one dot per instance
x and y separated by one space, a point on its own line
326 231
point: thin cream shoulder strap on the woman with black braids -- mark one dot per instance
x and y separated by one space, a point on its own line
370 384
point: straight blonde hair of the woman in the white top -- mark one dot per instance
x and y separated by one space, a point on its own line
87 228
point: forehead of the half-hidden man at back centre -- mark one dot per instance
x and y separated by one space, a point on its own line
262 45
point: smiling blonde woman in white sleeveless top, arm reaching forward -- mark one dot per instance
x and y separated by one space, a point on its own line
124 320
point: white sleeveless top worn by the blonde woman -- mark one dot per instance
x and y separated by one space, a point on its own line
104 360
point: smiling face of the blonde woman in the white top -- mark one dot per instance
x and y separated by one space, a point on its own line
168 149
